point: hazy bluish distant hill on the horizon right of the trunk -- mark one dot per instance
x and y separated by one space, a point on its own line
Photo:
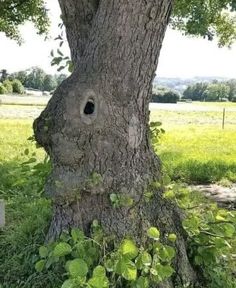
180 84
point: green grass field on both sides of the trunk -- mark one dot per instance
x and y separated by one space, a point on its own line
194 149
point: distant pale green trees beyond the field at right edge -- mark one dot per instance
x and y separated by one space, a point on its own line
215 91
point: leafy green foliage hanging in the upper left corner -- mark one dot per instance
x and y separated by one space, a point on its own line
13 13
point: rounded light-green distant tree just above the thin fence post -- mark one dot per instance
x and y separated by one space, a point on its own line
217 92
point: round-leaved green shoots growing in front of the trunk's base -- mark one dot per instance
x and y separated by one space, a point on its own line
88 262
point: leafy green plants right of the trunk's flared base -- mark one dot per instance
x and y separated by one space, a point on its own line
211 235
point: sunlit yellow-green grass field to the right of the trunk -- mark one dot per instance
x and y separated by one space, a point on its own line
195 148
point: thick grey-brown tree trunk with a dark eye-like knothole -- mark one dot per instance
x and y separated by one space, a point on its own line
95 127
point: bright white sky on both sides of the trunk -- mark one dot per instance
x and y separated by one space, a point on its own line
181 56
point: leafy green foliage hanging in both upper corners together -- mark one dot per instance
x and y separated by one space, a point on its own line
204 18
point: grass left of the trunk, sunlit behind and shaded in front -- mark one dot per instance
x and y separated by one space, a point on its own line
27 212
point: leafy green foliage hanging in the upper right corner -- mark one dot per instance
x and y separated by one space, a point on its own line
208 19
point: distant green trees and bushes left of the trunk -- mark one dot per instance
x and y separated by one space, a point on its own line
34 78
